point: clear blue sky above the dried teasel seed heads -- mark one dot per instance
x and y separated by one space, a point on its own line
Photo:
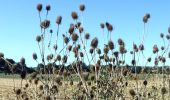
20 23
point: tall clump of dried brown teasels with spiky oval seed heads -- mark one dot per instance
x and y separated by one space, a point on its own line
63 74
